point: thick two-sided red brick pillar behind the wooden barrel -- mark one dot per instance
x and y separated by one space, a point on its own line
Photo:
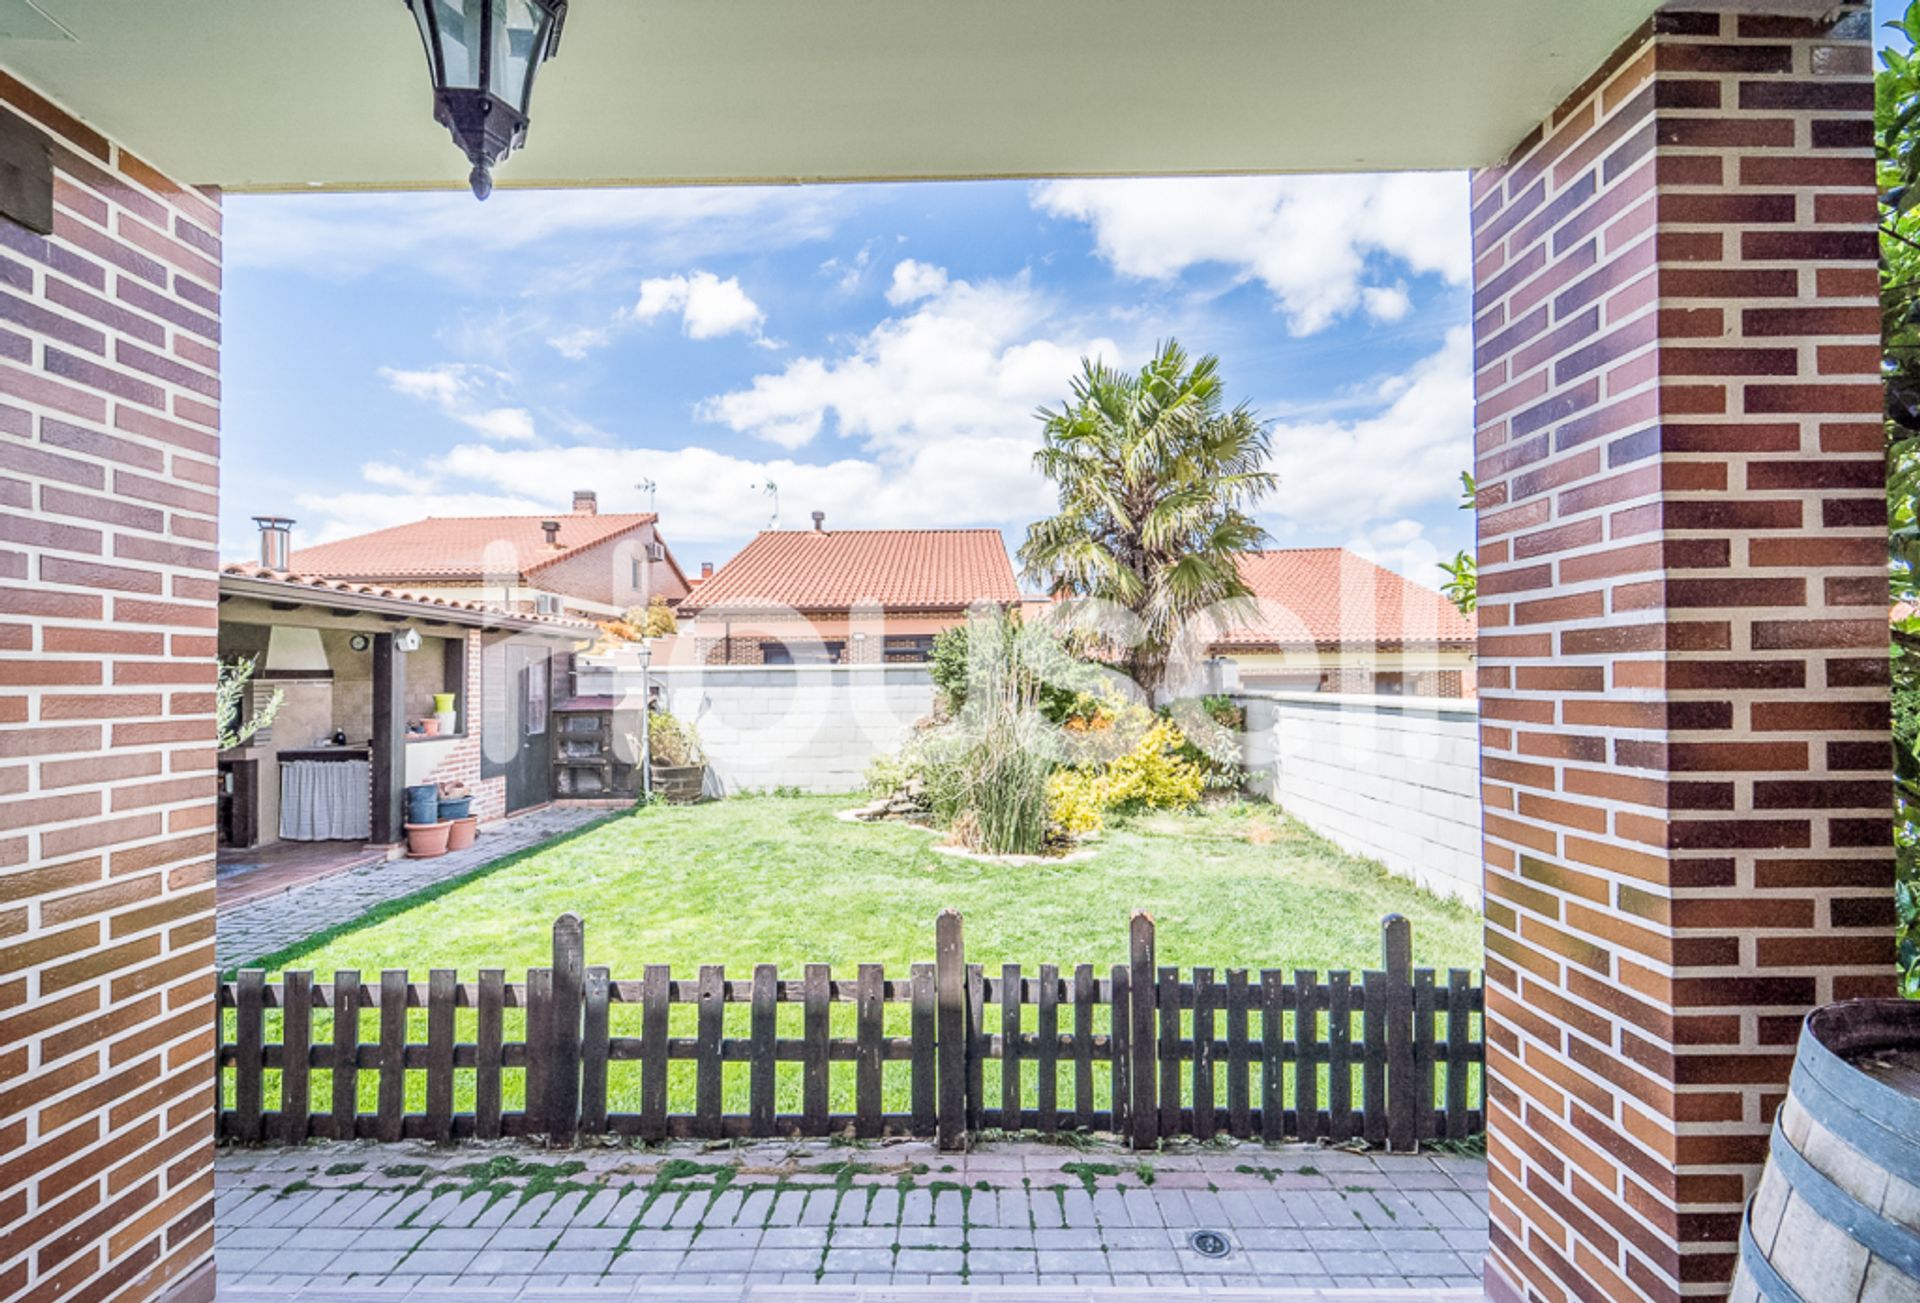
1683 657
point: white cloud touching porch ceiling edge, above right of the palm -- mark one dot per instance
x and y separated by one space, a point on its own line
1308 239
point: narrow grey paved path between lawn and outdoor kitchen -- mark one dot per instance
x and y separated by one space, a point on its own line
258 928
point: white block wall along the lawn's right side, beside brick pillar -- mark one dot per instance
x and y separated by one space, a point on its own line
1389 778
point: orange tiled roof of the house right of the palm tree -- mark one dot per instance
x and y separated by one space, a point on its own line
1328 596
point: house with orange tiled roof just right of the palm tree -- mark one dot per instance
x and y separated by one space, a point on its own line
1332 621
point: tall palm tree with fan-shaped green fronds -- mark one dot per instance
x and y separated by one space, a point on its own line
1157 479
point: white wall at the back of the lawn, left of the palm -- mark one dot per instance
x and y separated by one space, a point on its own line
815 728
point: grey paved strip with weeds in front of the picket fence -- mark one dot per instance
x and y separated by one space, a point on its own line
517 1223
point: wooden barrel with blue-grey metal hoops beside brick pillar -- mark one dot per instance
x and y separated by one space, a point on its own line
1838 1212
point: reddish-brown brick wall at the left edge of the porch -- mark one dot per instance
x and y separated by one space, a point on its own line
108 473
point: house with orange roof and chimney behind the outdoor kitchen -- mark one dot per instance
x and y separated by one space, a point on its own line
577 563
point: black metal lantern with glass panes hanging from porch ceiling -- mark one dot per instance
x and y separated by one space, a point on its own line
483 57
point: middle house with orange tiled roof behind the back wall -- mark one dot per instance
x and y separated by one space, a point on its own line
844 596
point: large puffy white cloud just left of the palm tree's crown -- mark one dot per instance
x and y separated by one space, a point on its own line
969 364
